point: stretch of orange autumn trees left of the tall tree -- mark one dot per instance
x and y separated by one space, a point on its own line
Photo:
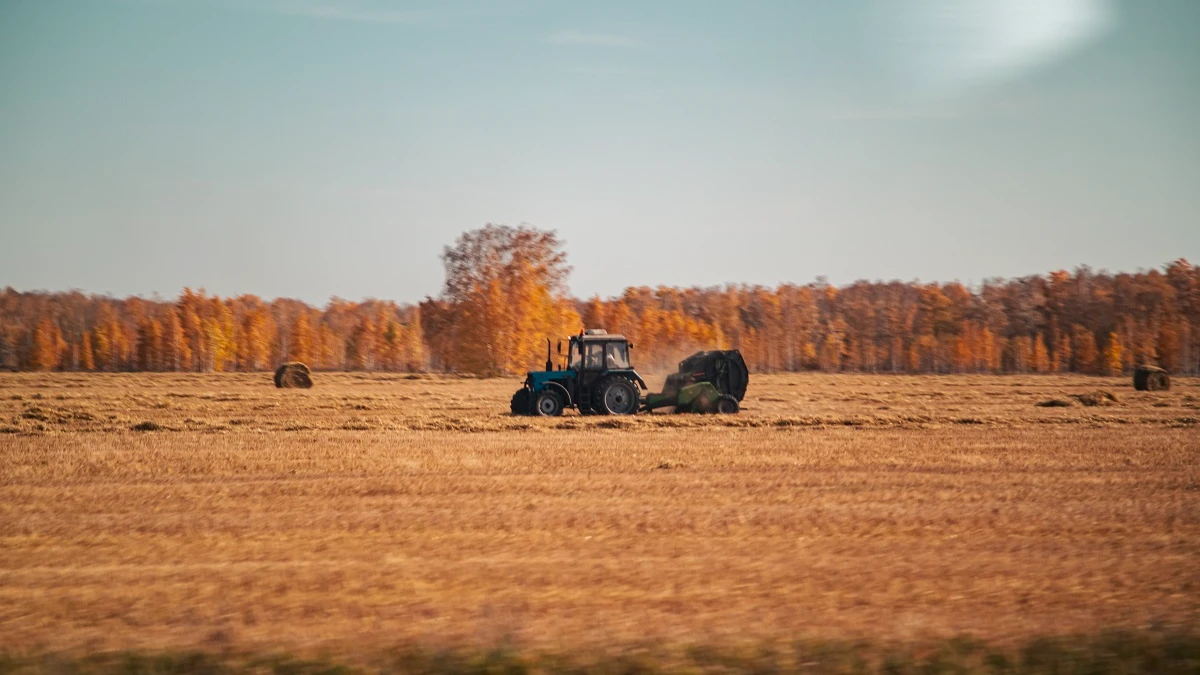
203 333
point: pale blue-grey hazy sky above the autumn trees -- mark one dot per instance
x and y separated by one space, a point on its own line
323 148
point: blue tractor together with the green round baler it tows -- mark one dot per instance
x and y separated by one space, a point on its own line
598 379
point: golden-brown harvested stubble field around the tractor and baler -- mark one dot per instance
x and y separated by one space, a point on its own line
142 511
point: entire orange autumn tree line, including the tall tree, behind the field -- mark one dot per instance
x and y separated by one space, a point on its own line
506 292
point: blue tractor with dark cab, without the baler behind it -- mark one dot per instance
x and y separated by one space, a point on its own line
598 379
